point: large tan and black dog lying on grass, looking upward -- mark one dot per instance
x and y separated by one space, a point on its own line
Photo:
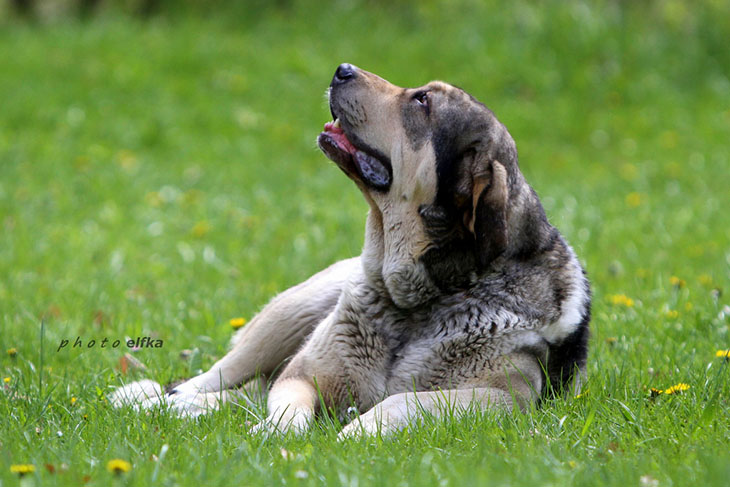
464 295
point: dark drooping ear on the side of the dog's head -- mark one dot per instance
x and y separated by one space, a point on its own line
488 218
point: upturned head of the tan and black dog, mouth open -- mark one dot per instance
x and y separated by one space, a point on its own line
440 174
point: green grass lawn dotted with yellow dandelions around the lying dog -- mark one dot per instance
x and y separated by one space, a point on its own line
159 178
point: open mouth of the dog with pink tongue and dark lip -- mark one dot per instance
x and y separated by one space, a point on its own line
355 162
